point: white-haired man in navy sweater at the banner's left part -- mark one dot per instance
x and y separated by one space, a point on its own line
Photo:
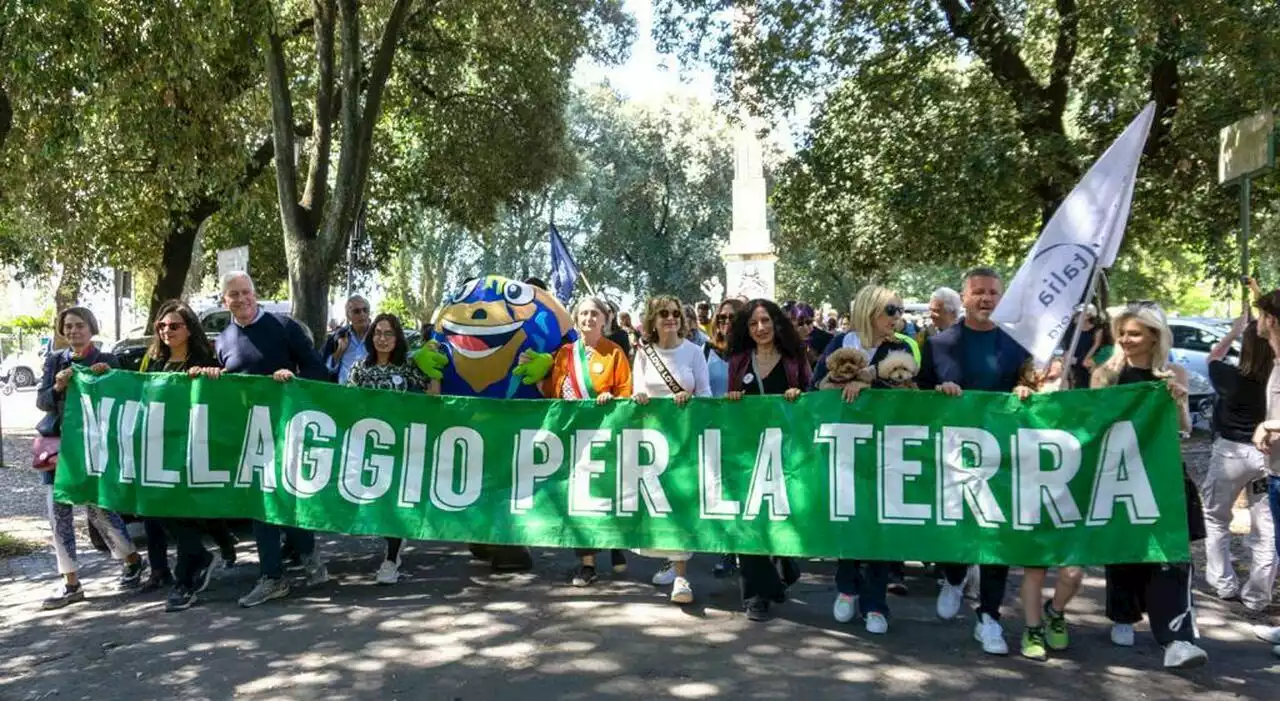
263 343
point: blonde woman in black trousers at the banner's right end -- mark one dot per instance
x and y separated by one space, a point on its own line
1160 590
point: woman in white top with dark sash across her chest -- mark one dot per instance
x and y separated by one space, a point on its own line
669 366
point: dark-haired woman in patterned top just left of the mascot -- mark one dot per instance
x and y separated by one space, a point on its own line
387 366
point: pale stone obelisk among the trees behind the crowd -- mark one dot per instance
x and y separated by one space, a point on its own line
749 258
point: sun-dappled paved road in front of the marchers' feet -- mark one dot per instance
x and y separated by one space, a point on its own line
455 631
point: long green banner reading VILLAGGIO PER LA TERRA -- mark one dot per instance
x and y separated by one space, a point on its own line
1078 478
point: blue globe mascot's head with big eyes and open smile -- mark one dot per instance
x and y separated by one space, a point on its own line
486 326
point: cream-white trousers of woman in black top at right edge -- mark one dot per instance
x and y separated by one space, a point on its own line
1232 470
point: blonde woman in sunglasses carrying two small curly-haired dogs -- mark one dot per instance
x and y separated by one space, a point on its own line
872 345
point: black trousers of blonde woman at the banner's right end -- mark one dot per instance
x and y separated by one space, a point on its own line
1163 592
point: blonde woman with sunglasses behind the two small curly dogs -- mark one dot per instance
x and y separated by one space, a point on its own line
863 585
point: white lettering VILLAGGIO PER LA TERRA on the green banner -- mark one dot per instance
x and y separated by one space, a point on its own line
966 459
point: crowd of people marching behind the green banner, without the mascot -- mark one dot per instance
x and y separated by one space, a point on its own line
679 352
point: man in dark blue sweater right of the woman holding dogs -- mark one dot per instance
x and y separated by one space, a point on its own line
976 355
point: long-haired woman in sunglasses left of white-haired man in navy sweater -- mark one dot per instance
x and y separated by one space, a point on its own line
180 345
